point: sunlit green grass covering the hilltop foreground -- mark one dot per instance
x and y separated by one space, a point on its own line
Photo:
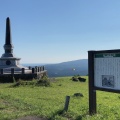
48 102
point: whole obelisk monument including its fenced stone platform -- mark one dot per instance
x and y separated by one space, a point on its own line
10 64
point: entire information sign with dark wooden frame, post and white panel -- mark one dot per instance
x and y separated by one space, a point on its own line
107 78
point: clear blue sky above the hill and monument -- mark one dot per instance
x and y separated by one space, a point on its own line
54 31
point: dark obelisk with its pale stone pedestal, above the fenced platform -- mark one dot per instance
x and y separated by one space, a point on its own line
8 59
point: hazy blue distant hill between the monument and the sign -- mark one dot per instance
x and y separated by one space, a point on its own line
69 68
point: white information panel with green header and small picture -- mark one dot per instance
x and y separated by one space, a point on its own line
107 70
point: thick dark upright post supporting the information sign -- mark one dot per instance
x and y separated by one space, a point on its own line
92 91
